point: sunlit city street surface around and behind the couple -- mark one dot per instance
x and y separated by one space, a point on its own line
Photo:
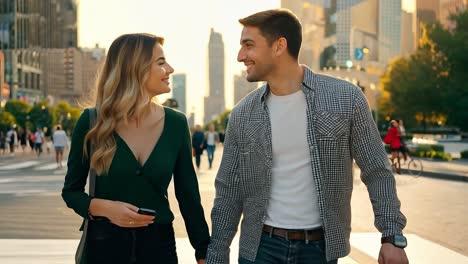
32 208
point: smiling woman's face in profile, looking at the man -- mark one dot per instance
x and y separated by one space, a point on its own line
158 76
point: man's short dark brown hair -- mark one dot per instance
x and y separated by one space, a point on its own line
276 23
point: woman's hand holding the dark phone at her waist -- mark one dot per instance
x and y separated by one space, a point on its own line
119 213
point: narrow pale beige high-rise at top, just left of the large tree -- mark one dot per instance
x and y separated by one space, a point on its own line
389 30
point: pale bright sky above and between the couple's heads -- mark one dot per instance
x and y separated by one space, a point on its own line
185 25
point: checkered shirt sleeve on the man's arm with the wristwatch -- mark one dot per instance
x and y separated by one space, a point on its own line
370 155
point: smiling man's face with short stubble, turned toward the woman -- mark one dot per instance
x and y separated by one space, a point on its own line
256 54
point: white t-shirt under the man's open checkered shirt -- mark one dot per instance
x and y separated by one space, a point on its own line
293 200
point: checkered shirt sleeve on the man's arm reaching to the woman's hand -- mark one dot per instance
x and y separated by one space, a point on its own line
227 208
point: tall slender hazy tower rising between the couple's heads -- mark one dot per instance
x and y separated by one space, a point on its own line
214 102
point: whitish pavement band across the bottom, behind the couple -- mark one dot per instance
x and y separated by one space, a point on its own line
62 251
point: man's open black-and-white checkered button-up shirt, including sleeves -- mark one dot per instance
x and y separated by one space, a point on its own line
340 129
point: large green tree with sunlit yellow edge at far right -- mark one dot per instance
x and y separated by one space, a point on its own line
429 87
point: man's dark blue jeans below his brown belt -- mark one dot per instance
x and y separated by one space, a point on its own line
278 250
